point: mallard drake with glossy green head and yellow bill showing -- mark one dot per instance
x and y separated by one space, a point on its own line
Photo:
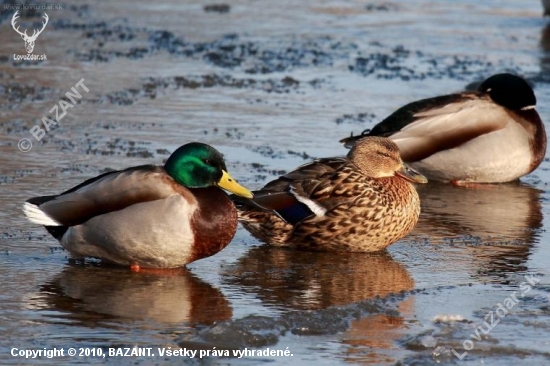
147 216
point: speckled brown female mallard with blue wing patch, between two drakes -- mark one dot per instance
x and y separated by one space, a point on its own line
360 203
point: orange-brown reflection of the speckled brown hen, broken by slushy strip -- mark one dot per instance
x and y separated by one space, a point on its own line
304 280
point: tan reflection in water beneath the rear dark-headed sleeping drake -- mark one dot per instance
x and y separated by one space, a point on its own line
496 224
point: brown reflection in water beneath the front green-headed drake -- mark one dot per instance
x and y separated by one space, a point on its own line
86 291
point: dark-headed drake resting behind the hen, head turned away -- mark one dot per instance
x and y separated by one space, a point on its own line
491 135
